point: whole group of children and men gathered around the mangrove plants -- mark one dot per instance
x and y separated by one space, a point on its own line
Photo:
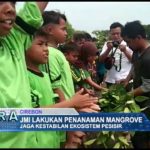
38 69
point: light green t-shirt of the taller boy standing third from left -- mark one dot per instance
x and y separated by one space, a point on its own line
60 72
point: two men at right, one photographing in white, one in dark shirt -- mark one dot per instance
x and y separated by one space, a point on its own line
130 67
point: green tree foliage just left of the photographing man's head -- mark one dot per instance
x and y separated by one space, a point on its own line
101 37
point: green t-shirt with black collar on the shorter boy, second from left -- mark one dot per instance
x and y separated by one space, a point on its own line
44 96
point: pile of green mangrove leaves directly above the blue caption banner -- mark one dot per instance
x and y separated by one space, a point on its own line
118 100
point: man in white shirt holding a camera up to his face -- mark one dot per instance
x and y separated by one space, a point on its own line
119 64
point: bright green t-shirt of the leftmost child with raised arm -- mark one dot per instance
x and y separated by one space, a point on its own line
14 84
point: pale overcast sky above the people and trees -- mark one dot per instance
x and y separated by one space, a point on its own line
90 16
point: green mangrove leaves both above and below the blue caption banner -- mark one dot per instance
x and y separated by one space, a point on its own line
116 99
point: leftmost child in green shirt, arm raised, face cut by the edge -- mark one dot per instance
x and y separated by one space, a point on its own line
15 37
